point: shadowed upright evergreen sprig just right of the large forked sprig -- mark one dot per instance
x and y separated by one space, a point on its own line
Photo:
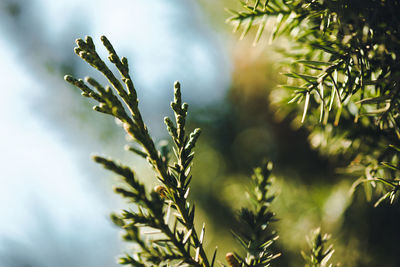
254 234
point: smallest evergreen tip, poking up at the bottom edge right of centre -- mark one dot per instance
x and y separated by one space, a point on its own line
318 255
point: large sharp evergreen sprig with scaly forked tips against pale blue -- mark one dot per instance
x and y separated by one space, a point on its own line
177 242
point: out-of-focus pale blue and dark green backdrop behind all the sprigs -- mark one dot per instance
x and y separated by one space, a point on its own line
55 202
